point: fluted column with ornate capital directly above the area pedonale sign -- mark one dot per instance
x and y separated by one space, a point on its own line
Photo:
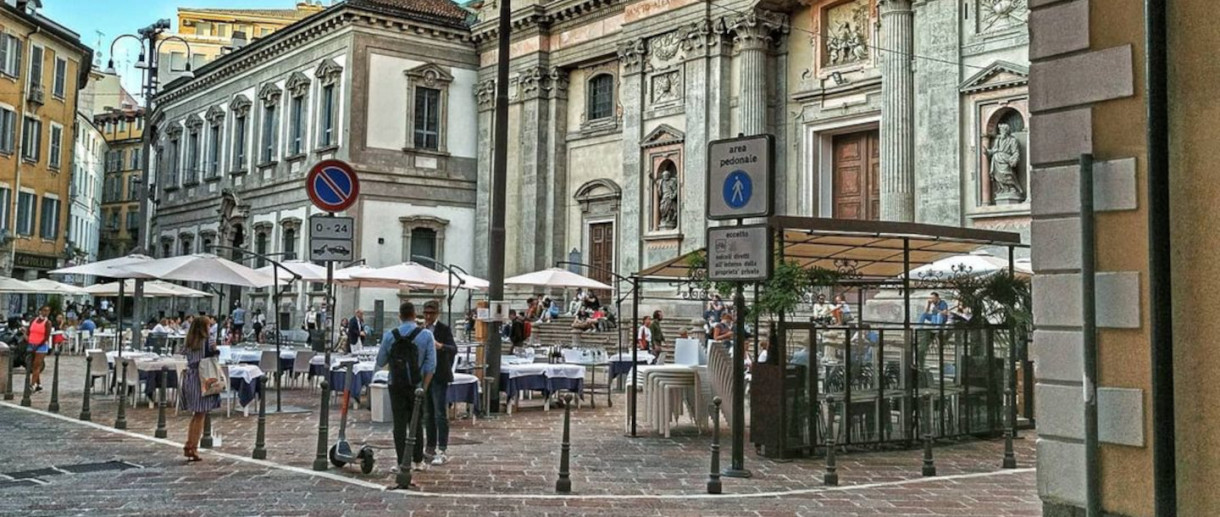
753 36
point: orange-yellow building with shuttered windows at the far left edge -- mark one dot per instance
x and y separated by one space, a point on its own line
43 66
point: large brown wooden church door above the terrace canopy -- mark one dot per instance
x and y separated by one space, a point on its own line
857 176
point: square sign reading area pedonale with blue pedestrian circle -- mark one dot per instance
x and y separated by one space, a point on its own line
740 177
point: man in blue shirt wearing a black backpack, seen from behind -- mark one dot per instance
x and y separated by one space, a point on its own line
411 353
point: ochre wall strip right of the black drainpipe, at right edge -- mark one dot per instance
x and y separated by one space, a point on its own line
1194 193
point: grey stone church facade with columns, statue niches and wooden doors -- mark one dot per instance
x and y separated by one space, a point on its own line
881 109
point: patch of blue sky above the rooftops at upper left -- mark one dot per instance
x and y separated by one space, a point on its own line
115 18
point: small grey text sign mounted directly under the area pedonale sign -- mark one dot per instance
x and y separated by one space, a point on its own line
740 254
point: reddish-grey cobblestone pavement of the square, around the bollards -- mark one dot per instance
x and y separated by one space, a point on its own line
502 465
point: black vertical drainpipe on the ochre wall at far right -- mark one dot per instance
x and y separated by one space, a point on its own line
1160 274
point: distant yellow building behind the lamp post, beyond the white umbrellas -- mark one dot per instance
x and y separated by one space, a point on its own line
124 130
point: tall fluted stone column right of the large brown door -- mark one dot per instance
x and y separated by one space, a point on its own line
897 112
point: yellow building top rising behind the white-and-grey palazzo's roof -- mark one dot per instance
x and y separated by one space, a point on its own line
212 32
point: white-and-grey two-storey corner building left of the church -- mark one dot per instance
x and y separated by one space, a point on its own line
385 86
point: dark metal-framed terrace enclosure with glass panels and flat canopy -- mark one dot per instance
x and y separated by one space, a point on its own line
866 385
